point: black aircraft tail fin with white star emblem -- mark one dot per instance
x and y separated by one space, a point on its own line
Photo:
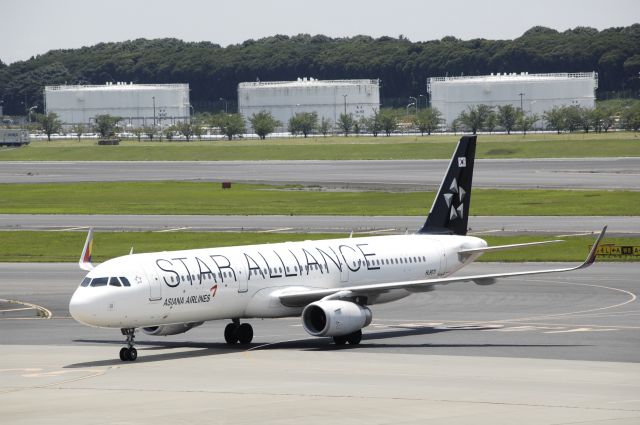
450 210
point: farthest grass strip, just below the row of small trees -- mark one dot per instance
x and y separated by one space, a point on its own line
335 148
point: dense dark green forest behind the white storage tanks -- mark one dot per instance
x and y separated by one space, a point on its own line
213 72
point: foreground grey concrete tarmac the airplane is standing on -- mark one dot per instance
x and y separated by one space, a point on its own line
556 349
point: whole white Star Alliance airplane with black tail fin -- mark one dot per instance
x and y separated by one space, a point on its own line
330 284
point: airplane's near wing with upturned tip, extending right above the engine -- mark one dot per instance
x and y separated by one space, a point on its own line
298 298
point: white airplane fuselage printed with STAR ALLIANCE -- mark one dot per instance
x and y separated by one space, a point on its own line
246 281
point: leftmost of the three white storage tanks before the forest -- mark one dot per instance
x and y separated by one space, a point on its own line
137 104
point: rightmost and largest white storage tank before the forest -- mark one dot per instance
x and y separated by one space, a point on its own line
534 93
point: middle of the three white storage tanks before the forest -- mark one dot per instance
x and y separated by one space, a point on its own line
328 98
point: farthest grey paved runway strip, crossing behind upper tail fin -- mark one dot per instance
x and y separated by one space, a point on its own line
561 173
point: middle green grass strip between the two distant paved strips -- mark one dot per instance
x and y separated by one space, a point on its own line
208 198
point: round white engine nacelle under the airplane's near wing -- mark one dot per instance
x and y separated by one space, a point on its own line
334 318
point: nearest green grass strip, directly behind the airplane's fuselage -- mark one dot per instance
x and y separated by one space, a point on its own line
23 246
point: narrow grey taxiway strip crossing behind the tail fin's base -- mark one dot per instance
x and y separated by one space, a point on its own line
618 226
